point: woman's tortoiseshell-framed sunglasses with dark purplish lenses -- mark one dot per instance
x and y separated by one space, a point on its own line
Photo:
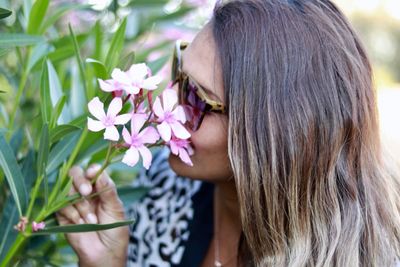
191 95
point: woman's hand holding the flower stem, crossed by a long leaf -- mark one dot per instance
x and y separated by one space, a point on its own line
102 248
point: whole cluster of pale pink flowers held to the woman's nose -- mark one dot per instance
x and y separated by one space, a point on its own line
151 123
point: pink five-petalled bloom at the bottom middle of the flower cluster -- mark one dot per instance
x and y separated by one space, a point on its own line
137 140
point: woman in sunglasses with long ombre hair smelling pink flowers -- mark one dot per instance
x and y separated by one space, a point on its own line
289 141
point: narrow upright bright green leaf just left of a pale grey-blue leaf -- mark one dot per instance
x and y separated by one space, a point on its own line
45 101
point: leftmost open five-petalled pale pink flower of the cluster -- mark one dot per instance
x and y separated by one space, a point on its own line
108 122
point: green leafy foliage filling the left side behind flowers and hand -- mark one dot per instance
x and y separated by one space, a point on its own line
52 53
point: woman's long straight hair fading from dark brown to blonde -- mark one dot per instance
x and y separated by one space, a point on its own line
304 145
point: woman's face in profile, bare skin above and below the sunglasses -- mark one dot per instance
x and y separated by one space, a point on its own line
210 159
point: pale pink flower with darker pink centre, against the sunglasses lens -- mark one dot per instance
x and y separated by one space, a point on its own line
171 116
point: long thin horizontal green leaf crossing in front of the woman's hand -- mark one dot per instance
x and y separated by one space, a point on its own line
79 228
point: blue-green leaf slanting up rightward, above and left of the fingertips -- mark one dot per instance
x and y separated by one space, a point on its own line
61 151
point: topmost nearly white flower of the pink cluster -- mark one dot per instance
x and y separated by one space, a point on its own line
135 78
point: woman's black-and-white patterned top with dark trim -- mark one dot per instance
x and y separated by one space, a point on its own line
174 220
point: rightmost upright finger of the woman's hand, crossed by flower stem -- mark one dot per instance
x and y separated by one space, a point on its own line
108 196
